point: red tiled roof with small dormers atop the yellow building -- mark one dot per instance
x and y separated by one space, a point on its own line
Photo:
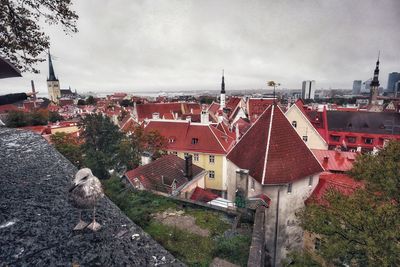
182 134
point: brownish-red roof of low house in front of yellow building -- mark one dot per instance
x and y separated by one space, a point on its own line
160 174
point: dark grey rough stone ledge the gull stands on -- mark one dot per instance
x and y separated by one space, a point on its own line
36 219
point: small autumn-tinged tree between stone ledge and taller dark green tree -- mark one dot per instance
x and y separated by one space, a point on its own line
69 147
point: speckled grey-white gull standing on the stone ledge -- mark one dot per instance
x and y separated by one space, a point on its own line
84 194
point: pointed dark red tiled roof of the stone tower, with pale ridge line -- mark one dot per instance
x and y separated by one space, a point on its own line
273 152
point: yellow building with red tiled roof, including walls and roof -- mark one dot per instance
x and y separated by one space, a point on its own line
208 145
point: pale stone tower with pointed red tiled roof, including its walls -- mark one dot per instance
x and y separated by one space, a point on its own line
272 162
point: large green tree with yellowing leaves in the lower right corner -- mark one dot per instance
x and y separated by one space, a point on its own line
363 228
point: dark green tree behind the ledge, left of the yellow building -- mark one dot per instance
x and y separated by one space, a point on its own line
102 139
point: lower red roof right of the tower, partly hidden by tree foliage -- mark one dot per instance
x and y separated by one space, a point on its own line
340 182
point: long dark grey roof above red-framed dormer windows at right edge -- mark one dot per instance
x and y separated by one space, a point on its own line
364 122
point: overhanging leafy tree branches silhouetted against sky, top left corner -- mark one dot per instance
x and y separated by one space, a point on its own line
21 36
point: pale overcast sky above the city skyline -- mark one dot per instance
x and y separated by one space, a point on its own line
125 45
